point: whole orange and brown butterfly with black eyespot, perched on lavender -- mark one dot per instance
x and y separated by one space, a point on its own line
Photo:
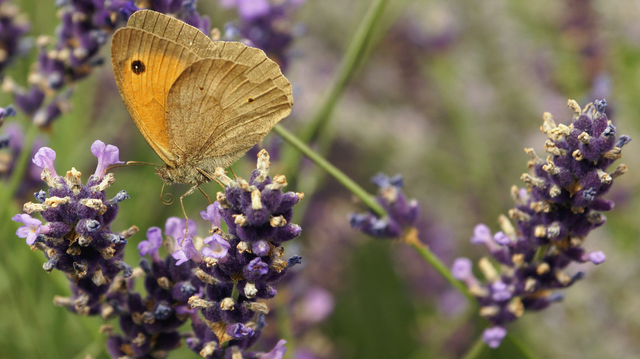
199 104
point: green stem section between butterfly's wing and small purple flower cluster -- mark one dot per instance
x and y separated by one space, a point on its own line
351 185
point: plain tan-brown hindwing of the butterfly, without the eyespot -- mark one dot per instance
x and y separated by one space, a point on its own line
215 113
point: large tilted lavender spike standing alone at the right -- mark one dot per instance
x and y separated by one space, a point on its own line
560 206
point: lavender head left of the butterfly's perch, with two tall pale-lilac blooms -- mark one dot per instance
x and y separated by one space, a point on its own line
77 238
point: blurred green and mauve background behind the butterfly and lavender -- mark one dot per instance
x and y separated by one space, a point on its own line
448 94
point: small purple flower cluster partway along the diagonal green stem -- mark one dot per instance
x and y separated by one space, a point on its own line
403 213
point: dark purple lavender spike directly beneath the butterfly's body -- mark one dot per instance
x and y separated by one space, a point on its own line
248 258
